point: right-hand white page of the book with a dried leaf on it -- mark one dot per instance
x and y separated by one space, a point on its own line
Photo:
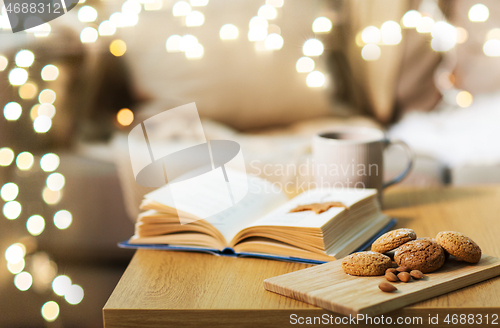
309 219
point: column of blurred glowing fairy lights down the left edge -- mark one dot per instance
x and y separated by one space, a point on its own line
31 267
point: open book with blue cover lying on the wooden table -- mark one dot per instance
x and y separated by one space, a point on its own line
263 224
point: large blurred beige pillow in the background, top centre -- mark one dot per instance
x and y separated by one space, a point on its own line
233 82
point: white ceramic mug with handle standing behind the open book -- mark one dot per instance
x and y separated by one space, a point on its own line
352 157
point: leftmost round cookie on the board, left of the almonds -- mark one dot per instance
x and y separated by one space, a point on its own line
366 264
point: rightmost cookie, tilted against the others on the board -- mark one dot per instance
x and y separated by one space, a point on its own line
459 245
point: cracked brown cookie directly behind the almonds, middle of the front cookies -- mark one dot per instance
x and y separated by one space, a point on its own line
424 255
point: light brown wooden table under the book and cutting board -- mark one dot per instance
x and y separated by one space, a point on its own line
161 288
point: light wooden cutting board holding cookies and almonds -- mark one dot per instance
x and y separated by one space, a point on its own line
327 286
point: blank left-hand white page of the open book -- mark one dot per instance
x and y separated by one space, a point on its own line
204 200
